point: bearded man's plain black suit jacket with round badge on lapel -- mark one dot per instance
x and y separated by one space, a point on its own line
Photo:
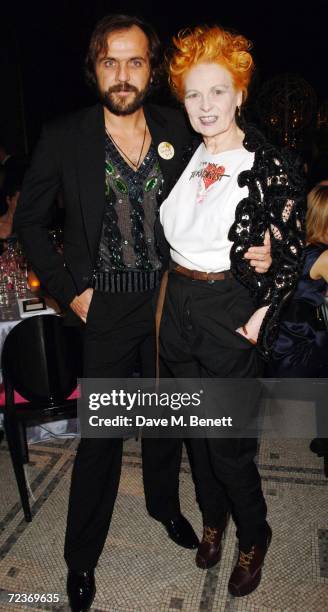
70 157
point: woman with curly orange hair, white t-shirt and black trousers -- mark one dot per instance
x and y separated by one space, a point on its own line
220 316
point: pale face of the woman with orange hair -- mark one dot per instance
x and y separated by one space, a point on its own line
211 99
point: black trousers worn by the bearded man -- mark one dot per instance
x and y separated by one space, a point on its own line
119 331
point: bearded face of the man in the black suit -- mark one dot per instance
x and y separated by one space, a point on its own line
123 73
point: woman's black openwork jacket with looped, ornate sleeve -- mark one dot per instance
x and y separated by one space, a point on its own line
276 201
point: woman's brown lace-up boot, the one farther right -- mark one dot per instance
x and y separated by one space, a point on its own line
247 572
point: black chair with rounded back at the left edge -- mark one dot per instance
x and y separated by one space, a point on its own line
41 360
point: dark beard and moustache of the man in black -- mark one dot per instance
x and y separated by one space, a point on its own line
120 106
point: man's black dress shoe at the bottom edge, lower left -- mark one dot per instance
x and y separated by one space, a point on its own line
81 590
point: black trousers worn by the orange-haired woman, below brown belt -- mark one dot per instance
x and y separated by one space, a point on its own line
198 339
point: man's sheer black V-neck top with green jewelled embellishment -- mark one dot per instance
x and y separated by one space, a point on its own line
127 240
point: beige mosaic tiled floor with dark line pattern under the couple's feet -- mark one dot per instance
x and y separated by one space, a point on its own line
141 570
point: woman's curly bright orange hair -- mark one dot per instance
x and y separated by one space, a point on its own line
210 44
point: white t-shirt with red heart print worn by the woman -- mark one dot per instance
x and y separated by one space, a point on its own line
199 211
